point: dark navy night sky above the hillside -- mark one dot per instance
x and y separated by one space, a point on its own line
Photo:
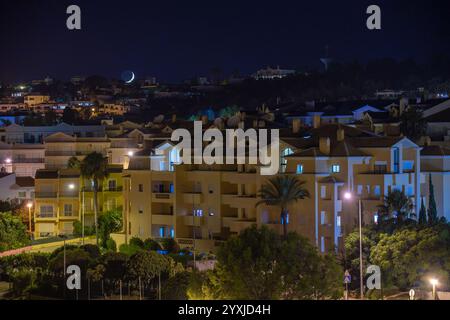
176 40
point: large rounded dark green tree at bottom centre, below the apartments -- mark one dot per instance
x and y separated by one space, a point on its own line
260 265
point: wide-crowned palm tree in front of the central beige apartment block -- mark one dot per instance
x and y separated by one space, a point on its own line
282 191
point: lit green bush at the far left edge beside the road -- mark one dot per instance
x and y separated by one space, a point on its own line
13 233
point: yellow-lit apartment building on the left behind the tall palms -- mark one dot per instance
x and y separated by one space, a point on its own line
63 197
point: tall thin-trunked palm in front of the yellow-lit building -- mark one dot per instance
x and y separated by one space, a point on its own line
94 167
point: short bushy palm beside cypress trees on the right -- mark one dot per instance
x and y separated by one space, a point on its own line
397 203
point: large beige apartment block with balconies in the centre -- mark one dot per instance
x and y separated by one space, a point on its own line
201 205
